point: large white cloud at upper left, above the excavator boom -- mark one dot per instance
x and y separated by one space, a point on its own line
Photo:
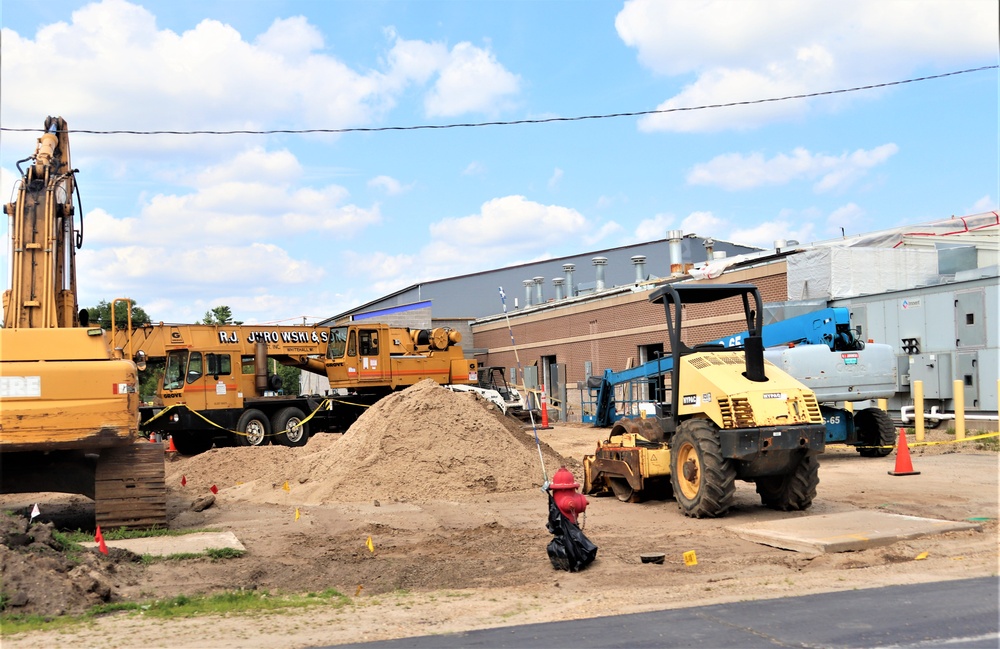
117 69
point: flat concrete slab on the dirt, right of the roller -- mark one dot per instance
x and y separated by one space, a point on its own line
844 532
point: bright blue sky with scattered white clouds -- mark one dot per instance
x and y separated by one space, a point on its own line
297 227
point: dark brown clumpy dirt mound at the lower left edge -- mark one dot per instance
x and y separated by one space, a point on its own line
42 577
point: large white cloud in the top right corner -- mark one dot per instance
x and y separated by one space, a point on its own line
773 48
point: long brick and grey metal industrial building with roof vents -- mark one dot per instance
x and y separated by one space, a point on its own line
928 290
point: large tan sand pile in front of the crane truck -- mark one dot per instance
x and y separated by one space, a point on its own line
424 443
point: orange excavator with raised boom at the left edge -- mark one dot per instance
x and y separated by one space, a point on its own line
68 403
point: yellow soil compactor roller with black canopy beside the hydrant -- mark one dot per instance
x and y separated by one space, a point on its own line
730 415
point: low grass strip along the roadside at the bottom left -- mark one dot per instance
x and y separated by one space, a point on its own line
228 603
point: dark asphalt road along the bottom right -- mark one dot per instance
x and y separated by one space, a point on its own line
962 613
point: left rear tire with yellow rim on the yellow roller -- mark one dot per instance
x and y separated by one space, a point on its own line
703 481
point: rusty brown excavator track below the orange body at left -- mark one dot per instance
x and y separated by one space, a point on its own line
130 489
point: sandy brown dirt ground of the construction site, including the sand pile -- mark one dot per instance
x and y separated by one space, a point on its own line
449 494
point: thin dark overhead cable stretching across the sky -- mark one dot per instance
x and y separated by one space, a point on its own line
545 120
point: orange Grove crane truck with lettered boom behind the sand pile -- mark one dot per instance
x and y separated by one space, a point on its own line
217 386
